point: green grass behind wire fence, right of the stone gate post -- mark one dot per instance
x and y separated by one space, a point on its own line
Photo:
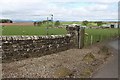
99 35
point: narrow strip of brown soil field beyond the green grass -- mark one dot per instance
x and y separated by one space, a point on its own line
18 24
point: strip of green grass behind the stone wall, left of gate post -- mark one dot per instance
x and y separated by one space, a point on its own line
31 30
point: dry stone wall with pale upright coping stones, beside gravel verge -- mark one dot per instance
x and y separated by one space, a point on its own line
20 47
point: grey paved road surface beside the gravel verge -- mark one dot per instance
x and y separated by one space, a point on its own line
110 68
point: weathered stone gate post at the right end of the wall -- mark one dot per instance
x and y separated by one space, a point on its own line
78 34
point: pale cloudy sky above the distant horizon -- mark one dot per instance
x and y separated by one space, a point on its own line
63 10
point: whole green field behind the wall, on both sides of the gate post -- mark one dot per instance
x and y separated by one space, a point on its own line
94 35
